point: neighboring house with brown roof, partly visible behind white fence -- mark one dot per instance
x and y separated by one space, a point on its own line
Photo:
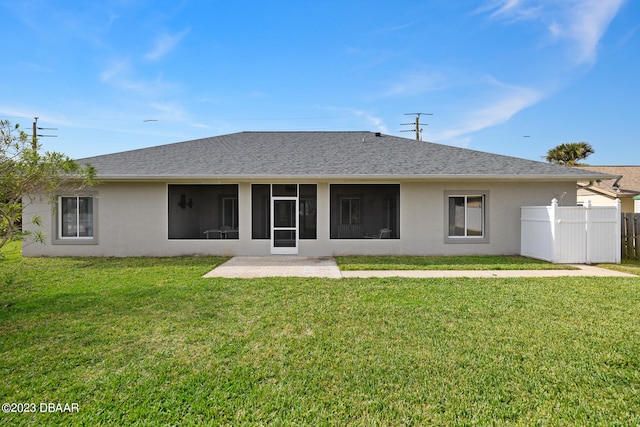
625 186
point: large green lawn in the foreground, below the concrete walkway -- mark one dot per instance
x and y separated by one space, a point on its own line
148 342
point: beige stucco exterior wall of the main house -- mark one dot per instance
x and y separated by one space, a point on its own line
132 220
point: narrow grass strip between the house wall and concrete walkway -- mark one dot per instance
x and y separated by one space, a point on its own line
446 263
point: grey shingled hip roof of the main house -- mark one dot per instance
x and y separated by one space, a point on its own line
337 155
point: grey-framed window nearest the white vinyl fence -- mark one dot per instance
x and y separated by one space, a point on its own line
466 217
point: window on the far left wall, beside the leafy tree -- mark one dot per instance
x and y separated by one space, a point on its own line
75 217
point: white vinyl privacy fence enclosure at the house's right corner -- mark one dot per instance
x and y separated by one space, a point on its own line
571 234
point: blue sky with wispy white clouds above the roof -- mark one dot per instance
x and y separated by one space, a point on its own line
490 71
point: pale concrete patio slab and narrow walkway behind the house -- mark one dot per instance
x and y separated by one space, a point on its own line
297 266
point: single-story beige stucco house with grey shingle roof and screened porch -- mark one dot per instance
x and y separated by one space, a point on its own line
307 193
